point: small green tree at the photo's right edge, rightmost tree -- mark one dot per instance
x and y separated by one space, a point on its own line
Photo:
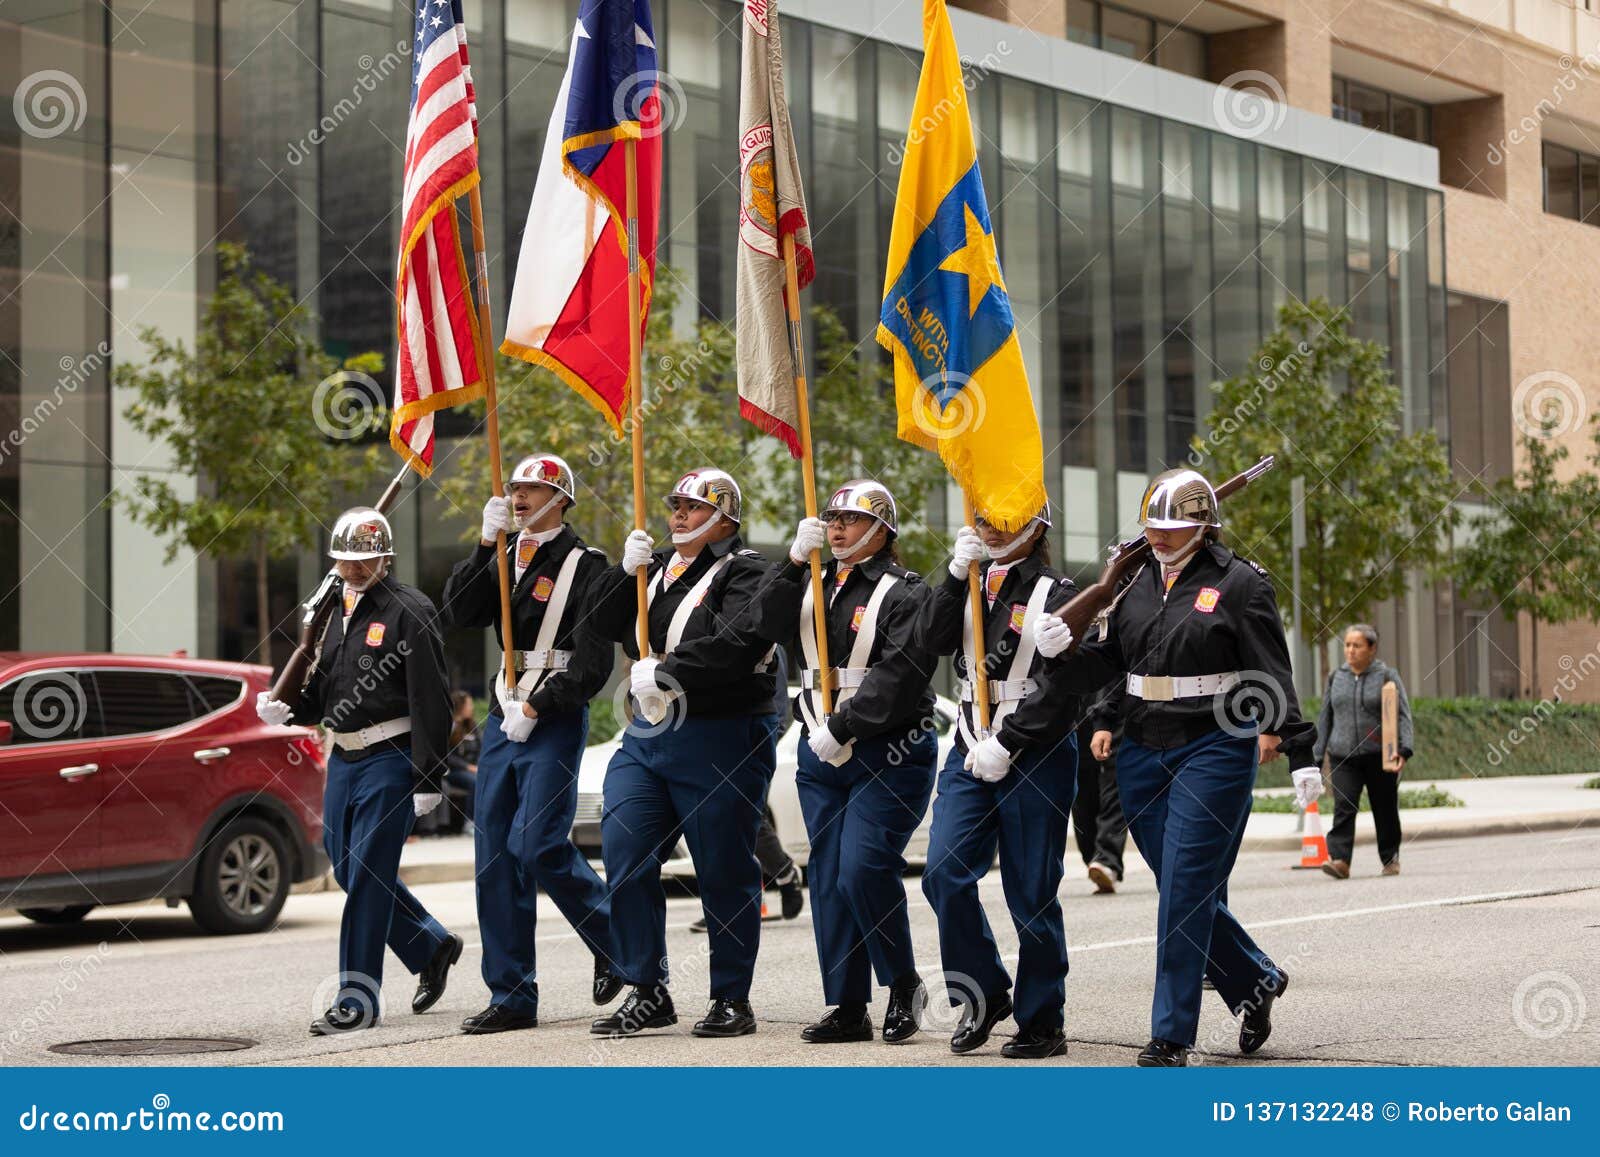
1534 548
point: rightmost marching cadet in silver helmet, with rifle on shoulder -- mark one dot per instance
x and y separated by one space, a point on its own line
1198 639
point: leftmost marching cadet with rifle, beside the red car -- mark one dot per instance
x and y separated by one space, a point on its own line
380 687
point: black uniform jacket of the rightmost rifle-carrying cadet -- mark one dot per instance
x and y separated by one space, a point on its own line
1222 615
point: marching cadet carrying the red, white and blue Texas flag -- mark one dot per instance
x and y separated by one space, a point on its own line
697 759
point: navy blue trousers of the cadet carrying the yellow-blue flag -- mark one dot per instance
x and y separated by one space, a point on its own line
1028 815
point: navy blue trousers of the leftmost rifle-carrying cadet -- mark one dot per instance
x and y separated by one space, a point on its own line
366 820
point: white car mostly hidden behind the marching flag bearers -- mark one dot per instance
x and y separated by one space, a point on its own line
783 801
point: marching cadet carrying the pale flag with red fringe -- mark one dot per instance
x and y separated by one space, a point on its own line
866 771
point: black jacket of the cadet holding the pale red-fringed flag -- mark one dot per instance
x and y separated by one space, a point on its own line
895 694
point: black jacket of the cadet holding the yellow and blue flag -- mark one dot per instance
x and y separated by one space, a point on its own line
1046 718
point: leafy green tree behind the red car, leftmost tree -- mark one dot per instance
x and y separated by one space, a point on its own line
257 415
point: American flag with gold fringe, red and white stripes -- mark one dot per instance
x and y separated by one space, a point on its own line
438 361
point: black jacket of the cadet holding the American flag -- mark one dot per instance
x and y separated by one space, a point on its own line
473 601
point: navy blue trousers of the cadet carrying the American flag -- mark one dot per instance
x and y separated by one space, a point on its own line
524 817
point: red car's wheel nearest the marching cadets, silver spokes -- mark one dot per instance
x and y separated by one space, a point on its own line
242 881
